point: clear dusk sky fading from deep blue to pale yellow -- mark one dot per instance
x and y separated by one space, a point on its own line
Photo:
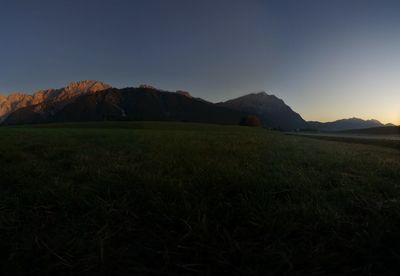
327 59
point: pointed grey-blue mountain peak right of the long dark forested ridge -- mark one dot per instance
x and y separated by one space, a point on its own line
272 111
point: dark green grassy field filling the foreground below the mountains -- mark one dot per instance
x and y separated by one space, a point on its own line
178 199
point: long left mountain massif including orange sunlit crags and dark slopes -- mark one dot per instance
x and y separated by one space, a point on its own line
96 101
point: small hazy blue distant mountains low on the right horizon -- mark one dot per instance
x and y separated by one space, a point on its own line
345 124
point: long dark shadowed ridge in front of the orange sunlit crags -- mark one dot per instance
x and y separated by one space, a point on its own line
143 103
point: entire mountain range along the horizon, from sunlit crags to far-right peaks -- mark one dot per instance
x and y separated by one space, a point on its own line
97 101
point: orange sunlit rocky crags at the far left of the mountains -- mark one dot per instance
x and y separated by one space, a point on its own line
48 101
